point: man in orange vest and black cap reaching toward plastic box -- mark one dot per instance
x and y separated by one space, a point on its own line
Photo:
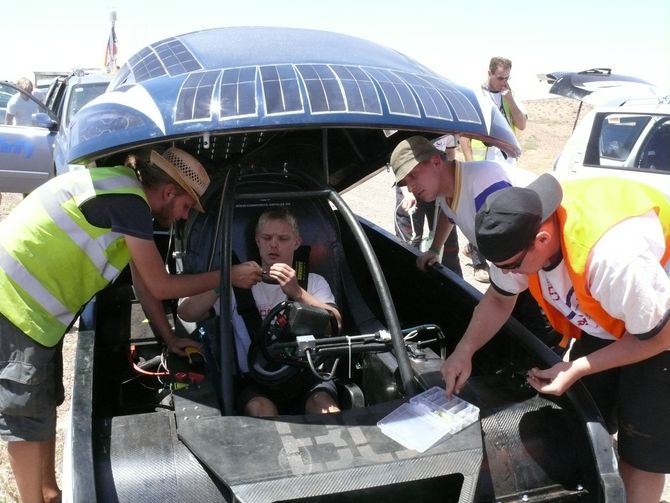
595 254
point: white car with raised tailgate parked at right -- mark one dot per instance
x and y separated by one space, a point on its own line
626 133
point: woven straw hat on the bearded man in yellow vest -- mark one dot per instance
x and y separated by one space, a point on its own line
184 169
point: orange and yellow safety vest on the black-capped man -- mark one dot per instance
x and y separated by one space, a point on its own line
588 210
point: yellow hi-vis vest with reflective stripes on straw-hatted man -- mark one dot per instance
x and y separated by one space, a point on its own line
52 261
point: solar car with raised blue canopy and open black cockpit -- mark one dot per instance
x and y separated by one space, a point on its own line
293 118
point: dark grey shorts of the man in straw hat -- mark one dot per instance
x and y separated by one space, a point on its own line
31 385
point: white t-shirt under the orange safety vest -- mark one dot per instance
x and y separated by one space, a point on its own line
624 276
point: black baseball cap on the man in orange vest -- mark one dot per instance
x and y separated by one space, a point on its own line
508 221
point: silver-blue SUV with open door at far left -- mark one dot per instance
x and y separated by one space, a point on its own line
30 155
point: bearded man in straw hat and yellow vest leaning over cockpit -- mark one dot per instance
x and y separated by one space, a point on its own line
59 247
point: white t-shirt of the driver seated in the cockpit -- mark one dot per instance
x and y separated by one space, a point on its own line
266 297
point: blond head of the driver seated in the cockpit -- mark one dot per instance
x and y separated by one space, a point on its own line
277 237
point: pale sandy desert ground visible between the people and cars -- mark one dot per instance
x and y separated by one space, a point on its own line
549 126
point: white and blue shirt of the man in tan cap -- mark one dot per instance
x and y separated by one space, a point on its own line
474 181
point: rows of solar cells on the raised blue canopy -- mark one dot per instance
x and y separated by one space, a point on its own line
318 88
